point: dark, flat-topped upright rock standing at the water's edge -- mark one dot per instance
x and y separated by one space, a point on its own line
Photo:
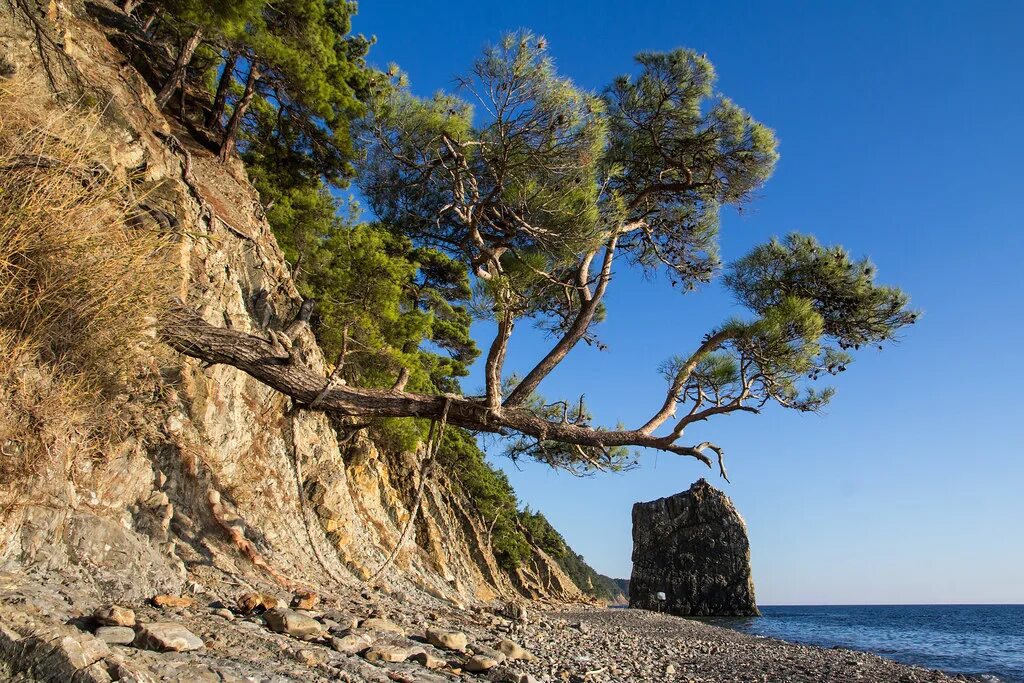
693 547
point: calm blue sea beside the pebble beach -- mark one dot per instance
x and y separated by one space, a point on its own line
972 639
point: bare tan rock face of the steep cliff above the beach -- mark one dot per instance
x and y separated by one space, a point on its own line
224 485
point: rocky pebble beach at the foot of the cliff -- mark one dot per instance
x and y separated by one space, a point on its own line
378 637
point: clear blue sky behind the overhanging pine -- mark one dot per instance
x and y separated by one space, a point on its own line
902 129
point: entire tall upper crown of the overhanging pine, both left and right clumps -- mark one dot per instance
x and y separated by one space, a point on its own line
545 172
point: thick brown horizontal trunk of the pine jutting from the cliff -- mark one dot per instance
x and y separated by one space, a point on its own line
273 364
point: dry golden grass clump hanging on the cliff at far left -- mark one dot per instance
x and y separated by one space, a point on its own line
79 288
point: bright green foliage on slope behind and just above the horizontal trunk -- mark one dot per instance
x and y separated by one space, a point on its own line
379 300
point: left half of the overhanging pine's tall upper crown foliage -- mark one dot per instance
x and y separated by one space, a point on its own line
533 158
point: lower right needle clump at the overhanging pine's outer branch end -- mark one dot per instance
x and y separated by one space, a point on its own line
813 305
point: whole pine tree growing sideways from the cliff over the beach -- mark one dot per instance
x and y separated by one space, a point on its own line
542 193
